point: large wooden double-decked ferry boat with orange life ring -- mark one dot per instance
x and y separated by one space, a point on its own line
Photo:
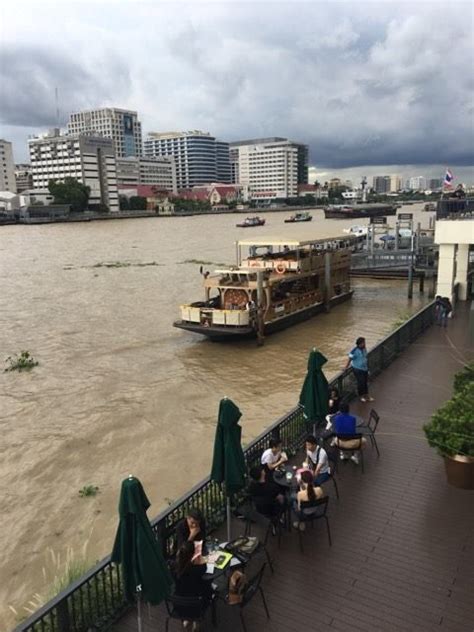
275 284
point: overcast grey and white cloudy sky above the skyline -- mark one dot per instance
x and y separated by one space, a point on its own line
368 85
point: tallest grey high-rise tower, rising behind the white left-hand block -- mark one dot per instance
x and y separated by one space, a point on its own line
122 126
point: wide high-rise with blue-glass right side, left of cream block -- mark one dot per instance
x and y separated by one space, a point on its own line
199 157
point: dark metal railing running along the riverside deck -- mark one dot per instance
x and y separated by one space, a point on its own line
96 600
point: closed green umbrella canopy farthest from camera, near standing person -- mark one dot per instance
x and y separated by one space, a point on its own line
314 395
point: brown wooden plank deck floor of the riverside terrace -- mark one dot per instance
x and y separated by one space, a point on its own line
403 540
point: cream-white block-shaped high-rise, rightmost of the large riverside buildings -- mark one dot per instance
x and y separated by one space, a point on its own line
271 168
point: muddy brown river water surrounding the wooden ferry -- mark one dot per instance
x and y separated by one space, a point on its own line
118 390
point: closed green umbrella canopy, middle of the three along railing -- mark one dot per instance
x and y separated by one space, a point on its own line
228 463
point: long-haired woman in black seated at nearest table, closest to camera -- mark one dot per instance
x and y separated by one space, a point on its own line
189 572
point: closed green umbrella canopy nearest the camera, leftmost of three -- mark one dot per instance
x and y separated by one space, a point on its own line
137 549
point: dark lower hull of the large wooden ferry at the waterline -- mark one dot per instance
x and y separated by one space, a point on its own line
225 334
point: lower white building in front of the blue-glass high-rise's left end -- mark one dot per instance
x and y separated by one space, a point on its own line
159 172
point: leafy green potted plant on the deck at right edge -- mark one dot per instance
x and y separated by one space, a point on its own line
451 431
